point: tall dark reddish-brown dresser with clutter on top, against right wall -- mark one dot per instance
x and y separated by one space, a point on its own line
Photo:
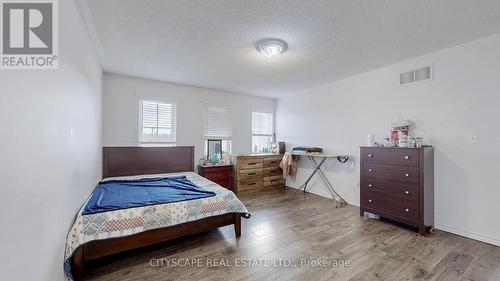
398 184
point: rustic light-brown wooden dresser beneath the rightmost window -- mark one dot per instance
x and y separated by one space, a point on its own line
255 172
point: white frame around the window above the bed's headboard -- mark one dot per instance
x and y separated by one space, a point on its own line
140 128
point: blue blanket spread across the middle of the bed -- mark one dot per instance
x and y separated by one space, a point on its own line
124 194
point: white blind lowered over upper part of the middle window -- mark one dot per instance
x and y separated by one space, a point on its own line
217 123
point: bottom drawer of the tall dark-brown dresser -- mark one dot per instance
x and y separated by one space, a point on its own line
399 208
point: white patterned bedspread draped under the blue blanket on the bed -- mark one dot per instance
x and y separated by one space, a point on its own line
126 222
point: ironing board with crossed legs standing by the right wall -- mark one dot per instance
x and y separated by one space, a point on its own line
339 201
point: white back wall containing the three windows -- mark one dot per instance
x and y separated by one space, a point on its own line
121 95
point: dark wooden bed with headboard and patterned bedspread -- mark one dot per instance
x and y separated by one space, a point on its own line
101 234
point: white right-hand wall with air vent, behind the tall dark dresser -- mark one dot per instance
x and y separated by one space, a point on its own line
462 100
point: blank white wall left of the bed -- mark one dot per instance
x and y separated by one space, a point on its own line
50 152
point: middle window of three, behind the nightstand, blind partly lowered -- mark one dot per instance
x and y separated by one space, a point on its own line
218 127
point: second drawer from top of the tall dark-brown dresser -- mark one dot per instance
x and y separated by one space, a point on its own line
391 174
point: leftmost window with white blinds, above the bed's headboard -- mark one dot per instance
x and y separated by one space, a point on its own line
157 122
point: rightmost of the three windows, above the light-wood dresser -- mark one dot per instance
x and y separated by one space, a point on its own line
262 132
